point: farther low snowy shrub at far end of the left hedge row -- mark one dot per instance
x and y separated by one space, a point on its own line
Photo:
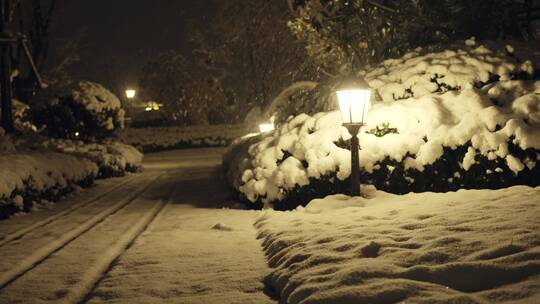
112 158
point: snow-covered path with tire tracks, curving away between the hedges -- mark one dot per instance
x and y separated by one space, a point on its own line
156 237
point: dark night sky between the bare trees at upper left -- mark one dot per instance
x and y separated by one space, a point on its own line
116 38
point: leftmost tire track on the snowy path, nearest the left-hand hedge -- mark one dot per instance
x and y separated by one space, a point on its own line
6 239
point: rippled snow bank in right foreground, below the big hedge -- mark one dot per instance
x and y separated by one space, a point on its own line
469 246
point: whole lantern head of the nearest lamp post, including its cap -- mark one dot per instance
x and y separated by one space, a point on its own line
353 97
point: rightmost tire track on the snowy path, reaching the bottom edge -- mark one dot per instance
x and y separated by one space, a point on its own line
82 291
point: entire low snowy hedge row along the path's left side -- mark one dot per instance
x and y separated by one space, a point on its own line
35 170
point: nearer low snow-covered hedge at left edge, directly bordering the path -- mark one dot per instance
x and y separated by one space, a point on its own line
27 178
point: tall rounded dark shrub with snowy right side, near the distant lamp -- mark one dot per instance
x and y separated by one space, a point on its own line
80 110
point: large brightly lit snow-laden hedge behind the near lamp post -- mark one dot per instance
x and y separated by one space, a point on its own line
458 118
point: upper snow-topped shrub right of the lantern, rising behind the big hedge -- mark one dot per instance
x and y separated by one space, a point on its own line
458 67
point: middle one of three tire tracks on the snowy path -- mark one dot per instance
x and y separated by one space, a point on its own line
28 263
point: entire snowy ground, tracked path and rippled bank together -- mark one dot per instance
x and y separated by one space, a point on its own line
162 236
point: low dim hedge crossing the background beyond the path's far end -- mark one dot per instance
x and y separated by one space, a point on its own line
167 138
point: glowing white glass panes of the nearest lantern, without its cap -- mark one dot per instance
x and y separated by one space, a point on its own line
354 104
